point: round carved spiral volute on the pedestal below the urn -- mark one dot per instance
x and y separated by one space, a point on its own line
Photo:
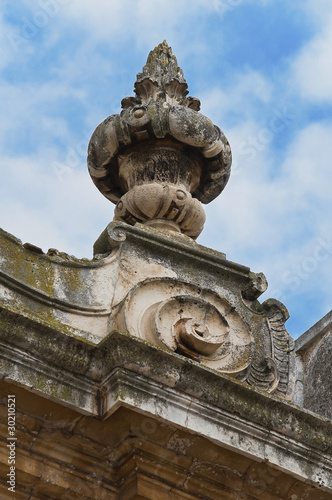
195 323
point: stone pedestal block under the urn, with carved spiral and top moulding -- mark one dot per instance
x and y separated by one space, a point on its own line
190 300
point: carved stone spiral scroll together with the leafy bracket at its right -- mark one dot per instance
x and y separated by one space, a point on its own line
205 327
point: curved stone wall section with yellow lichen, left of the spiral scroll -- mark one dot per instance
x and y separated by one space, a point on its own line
56 290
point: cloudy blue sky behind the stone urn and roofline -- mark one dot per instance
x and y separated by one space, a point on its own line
263 72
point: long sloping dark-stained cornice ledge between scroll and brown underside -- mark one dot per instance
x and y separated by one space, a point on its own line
125 371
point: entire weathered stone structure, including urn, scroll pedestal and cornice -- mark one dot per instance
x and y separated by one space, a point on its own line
152 371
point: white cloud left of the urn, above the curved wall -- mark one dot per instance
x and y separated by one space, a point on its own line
66 212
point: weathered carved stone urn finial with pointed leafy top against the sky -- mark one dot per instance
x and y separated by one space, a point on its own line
160 157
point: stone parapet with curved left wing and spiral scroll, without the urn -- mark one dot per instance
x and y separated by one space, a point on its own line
166 290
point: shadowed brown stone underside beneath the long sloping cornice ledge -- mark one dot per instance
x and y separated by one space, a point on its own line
129 454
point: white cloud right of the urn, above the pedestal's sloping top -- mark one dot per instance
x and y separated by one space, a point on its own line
282 226
